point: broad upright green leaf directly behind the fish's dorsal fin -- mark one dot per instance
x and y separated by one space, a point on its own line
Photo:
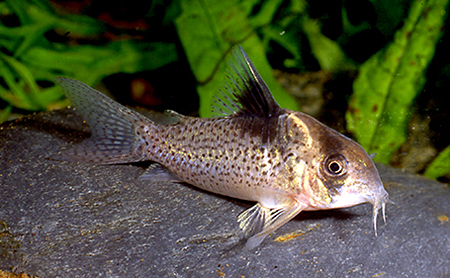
208 30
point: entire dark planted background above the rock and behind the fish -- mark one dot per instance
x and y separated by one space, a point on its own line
377 71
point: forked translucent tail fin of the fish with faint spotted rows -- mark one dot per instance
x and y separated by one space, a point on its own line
113 126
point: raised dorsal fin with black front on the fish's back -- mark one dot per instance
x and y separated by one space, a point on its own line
244 93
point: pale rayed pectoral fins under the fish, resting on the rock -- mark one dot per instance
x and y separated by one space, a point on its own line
258 221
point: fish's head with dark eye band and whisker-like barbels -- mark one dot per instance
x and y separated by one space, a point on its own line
342 173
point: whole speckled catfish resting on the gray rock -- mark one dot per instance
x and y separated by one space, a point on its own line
253 150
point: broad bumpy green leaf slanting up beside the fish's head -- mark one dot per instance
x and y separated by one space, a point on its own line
390 80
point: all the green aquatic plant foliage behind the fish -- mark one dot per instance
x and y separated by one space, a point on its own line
388 44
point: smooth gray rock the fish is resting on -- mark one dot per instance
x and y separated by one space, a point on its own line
65 219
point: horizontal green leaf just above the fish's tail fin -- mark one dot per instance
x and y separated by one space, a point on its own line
92 63
